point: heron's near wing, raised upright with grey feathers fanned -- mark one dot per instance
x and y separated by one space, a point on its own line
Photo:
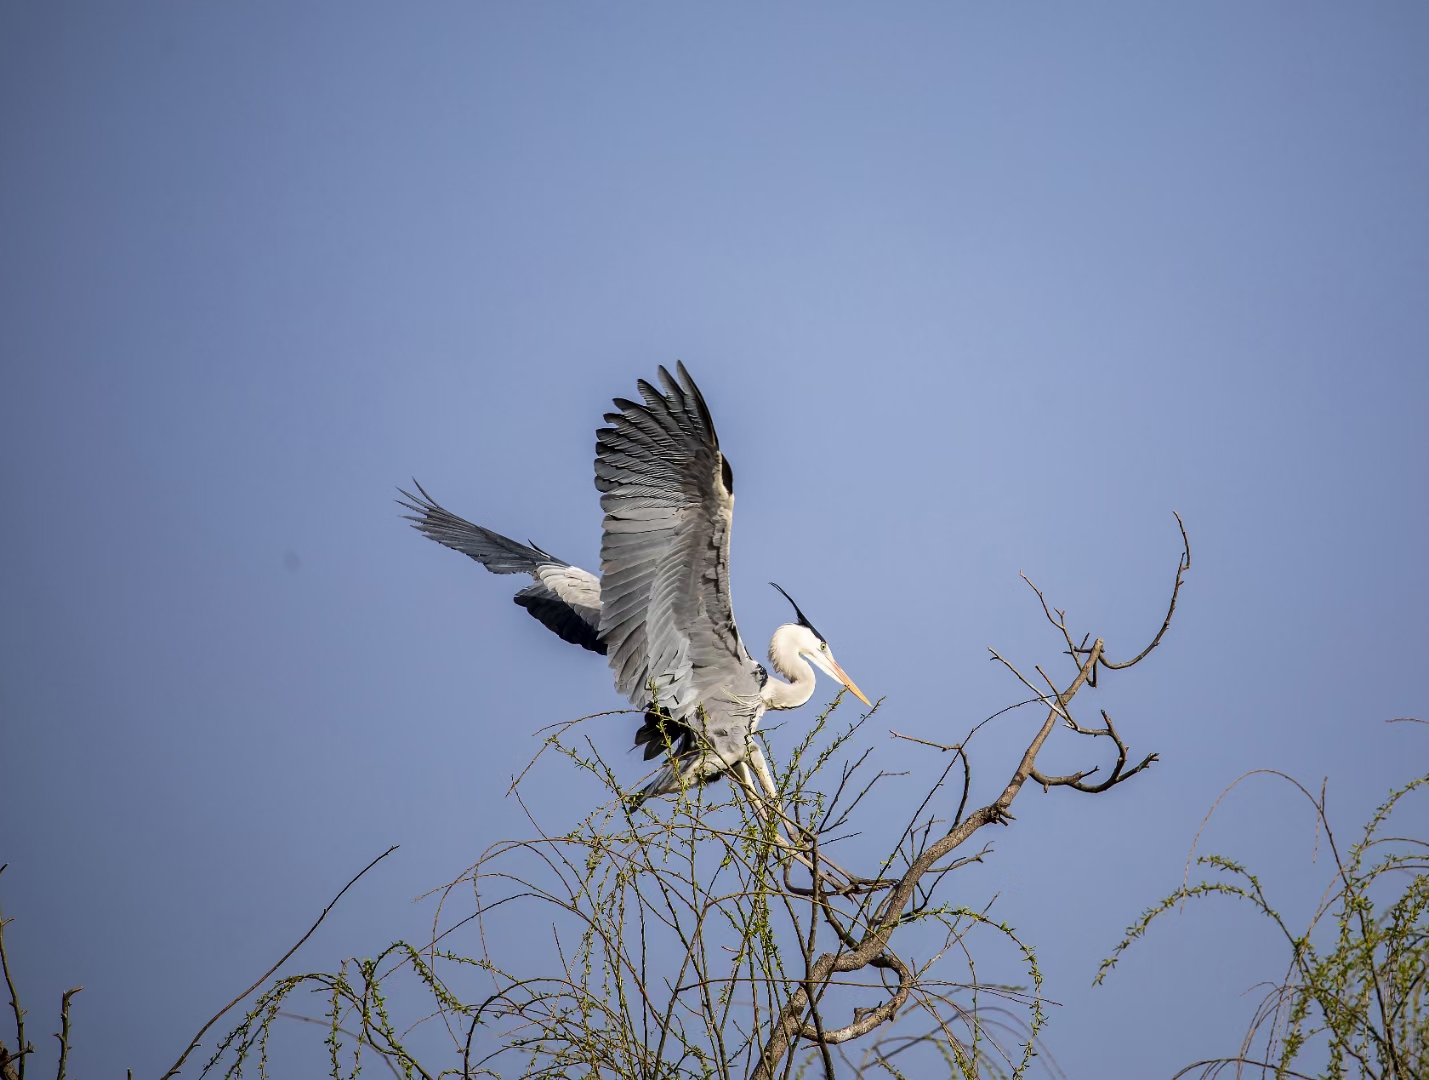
667 618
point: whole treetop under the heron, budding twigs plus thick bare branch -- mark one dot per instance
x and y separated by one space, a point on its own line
711 935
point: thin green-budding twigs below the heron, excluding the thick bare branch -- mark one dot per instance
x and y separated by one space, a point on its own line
677 935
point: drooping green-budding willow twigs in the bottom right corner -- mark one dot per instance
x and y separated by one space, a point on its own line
1353 1001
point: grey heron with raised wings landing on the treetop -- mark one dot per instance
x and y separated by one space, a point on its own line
661 611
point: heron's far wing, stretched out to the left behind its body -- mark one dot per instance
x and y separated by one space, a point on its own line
564 598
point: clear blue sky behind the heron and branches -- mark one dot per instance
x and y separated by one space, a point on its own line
970 291
